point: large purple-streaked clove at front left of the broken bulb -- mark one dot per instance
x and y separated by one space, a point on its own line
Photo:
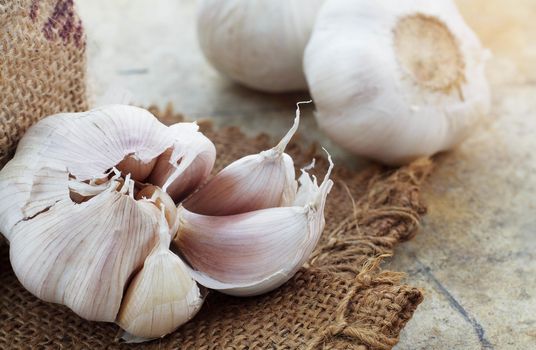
64 255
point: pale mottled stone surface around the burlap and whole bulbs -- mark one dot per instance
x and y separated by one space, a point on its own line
475 255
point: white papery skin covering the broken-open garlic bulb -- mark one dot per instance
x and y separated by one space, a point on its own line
82 254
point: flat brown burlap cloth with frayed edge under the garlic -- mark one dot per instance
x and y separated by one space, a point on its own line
340 300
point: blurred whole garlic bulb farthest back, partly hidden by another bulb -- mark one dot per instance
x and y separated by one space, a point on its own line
258 43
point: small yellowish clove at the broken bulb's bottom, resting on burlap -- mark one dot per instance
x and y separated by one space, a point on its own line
162 296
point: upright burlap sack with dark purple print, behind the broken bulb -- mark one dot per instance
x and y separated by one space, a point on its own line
42 65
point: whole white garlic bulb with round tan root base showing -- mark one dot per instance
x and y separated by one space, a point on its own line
396 80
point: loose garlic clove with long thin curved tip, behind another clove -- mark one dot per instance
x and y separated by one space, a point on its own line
254 182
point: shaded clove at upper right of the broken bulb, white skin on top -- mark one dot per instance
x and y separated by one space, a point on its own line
179 171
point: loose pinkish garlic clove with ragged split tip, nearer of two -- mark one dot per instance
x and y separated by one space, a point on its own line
255 252
